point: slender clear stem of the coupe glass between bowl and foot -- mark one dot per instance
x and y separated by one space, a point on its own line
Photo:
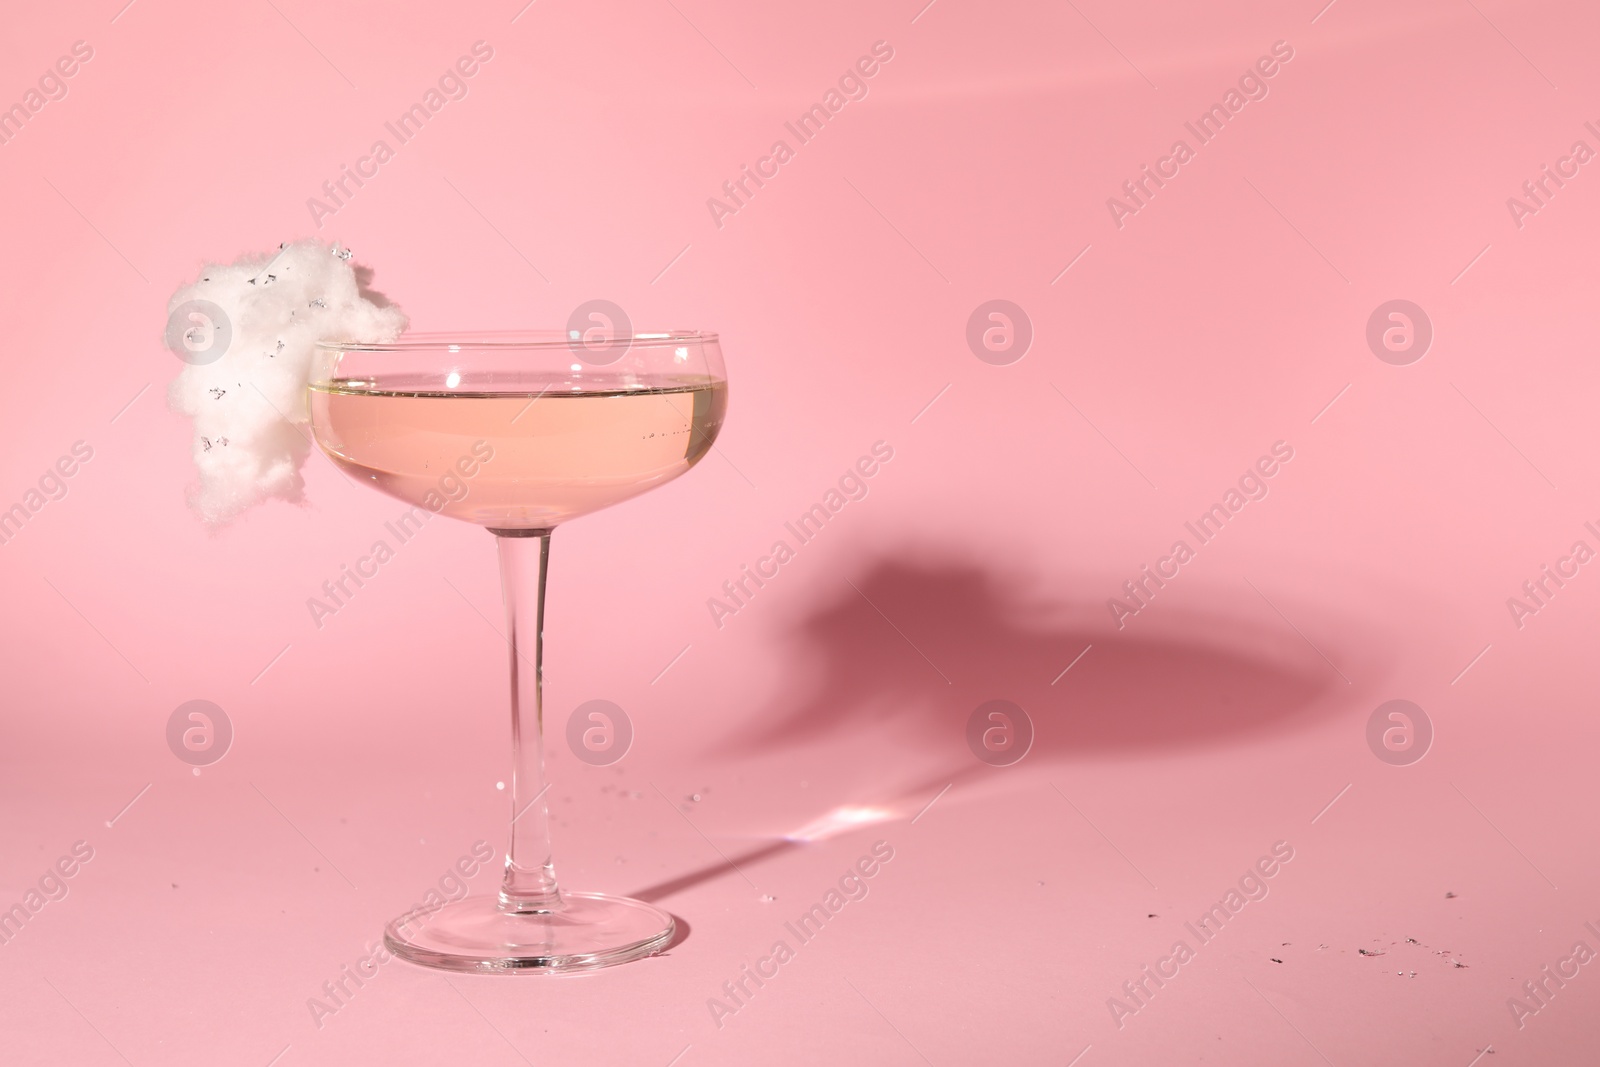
530 876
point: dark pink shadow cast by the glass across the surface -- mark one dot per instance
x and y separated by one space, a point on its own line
887 674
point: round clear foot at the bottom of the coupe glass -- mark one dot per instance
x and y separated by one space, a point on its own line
586 933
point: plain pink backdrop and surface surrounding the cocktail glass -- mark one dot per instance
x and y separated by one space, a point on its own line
1223 318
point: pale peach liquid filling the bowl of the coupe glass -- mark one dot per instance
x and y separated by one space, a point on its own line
518 460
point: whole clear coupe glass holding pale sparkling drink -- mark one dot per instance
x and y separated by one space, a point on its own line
519 434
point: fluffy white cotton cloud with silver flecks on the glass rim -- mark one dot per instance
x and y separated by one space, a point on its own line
249 407
